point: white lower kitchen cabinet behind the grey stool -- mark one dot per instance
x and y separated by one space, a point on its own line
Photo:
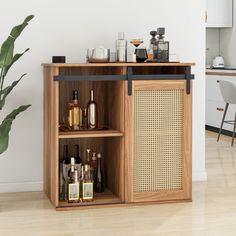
215 104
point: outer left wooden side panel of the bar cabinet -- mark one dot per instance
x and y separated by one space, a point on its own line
51 115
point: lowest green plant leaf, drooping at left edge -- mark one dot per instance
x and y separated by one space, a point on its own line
5 127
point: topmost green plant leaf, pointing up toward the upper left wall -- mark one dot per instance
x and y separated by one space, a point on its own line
6 52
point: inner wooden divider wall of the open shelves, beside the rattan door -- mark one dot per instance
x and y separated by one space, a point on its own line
114 163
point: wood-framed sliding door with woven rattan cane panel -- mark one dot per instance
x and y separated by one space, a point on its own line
160 165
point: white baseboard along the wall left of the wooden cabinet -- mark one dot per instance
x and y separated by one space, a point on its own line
21 187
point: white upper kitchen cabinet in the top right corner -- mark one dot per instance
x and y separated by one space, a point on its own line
219 13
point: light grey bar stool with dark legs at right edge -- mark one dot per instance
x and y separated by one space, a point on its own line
228 91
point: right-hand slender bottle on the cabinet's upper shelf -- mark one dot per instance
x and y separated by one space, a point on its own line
92 112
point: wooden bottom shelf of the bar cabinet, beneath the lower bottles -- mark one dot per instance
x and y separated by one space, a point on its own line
105 198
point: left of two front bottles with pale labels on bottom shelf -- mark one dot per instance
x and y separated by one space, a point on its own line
73 184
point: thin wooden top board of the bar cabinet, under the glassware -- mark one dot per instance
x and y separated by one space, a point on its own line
59 65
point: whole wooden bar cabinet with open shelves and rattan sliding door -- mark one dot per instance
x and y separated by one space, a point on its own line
147 143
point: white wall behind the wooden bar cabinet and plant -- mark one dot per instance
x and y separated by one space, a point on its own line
69 28
